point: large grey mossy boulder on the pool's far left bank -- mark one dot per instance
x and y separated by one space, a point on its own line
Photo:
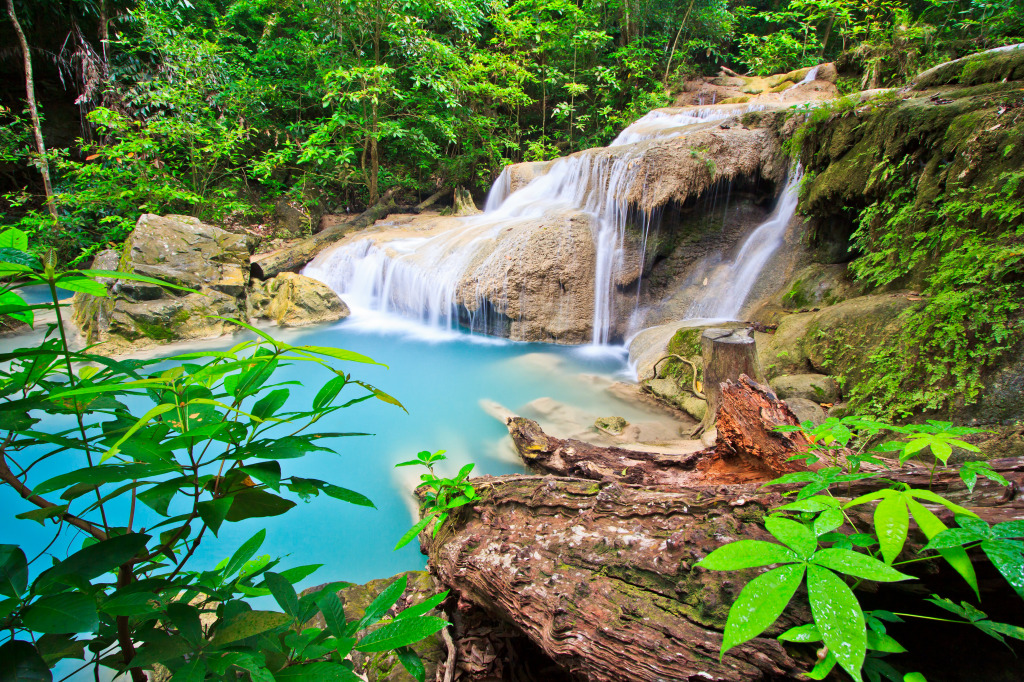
183 251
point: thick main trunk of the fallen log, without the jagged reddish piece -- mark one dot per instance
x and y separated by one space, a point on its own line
600 576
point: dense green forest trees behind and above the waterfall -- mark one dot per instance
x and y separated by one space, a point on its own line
222 109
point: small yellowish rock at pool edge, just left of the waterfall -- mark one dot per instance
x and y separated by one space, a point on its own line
295 301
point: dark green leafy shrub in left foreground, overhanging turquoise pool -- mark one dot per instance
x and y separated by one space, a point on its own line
206 451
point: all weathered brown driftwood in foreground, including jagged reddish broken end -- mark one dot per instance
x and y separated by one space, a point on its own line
598 570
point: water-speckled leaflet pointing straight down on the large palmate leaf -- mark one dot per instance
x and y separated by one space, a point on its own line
839 618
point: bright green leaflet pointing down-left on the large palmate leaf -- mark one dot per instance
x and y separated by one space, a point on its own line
760 605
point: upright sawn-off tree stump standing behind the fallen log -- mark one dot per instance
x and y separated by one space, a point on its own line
728 354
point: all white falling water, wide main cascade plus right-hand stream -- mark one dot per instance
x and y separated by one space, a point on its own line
432 279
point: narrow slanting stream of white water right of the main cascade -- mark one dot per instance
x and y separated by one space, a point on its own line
731 283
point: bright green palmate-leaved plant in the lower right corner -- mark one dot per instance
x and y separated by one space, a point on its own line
816 548
